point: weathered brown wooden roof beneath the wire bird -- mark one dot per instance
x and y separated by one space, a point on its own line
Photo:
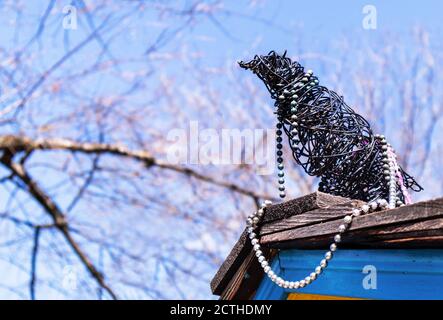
309 222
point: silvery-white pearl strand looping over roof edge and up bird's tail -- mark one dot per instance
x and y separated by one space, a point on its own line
254 220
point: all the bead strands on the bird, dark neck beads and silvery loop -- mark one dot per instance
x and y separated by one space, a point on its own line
391 174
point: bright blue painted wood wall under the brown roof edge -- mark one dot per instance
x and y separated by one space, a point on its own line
401 274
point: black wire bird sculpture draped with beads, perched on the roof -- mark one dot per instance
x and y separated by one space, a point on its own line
327 138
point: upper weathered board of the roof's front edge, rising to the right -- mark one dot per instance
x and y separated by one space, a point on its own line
378 222
